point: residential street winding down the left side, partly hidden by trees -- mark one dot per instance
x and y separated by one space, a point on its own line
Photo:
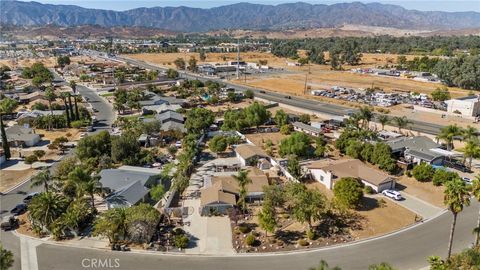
8 200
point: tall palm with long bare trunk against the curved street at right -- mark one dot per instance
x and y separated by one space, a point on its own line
456 196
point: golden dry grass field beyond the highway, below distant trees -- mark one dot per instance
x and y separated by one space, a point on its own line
320 76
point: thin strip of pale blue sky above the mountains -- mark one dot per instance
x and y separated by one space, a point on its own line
441 5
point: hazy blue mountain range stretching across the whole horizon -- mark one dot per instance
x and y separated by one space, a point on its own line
238 16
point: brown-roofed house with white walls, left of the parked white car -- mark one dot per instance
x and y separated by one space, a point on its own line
327 172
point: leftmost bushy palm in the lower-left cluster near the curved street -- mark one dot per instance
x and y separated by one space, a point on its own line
46 208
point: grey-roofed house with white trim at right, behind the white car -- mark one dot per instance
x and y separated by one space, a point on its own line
417 149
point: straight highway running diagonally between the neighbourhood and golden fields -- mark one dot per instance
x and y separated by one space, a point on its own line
303 103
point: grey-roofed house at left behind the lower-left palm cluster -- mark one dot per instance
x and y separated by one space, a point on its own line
129 185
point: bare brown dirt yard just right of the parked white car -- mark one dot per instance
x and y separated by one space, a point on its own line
425 191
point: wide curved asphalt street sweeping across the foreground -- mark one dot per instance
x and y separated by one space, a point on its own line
405 250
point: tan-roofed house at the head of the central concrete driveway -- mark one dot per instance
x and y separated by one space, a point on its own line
221 193
